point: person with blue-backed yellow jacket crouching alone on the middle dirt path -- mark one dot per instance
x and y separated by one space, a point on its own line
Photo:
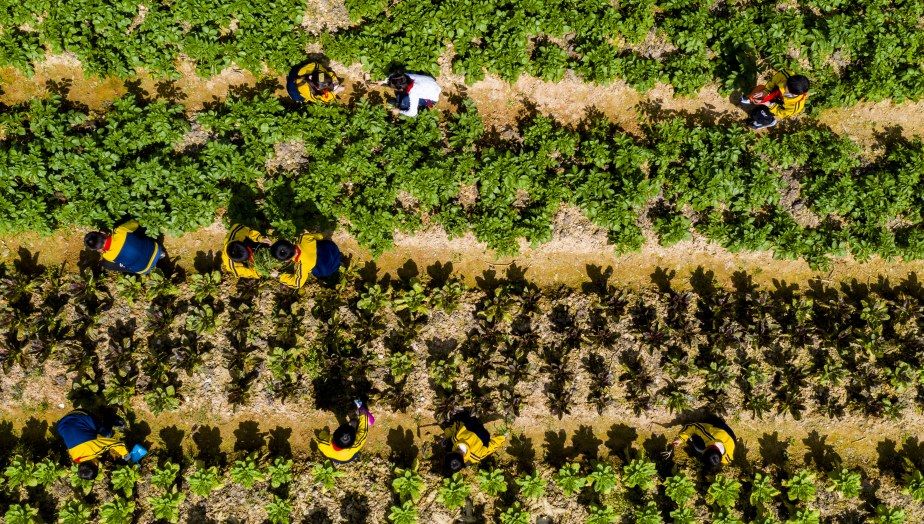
126 249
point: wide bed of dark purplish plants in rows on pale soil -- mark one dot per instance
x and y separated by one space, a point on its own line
437 345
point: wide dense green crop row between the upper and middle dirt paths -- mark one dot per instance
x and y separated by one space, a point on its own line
63 166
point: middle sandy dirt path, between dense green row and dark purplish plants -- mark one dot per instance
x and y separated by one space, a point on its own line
577 251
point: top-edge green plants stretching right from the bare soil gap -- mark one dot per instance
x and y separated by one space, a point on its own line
866 50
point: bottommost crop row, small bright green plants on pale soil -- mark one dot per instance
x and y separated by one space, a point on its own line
279 487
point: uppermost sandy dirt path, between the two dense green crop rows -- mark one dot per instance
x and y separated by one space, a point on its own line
501 103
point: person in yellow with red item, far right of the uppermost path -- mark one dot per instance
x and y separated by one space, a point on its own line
784 96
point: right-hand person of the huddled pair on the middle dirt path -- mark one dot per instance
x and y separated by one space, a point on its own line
310 255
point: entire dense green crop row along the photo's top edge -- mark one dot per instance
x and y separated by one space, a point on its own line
853 51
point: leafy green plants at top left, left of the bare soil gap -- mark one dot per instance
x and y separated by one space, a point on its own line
121 37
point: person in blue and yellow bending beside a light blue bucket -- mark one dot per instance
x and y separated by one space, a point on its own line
89 439
